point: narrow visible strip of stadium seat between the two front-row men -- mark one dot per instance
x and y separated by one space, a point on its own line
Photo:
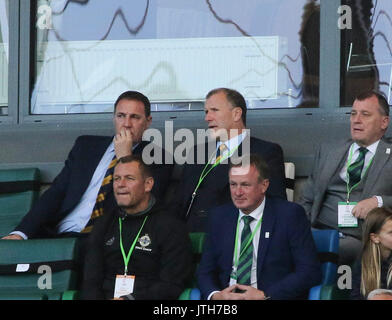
191 292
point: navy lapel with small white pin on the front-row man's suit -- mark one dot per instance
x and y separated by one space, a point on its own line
266 233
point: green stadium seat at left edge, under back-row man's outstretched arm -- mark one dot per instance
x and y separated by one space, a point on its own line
19 188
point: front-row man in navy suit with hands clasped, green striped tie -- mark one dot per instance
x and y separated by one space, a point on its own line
277 259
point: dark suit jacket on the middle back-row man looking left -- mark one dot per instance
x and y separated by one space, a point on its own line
214 190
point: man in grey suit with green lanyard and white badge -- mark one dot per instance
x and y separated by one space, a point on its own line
351 178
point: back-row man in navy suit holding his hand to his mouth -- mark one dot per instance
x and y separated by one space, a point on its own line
66 207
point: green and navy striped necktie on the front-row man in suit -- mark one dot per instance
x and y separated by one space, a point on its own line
246 258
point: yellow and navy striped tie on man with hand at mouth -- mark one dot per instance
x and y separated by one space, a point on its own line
103 190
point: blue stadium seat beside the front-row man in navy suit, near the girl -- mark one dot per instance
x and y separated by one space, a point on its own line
327 244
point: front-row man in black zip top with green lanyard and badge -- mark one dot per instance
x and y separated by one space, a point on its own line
137 251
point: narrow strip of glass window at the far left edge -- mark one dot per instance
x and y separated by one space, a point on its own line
4 33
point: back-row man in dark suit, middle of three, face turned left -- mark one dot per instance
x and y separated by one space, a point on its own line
225 114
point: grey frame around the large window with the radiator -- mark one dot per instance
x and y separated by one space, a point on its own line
329 95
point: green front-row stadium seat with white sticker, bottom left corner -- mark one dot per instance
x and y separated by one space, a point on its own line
38 269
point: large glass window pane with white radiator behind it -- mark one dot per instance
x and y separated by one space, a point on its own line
174 51
